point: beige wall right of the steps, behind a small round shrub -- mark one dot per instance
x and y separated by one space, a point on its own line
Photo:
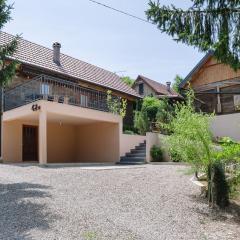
158 140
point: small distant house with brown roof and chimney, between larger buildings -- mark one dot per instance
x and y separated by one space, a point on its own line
147 87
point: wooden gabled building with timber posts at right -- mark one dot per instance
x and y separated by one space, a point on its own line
216 86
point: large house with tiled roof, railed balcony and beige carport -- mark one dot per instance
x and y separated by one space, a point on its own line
55 110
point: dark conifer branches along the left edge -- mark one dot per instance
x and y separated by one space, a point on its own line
7 68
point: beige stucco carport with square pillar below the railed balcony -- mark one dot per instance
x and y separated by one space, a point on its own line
71 134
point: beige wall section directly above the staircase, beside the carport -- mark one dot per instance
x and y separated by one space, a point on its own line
129 142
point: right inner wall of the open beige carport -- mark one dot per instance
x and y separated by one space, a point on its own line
98 142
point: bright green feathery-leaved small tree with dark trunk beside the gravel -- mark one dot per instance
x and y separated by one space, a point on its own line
191 140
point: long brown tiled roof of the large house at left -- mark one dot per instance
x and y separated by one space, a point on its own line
38 56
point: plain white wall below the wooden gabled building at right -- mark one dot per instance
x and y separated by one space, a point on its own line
226 125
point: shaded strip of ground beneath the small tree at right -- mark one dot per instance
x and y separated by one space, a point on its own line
230 214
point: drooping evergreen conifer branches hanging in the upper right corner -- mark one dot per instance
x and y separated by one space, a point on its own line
206 25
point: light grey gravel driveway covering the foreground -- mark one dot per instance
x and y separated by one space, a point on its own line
149 203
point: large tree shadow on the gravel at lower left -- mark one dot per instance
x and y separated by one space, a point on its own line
21 210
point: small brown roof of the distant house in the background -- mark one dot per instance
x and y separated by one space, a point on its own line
159 88
